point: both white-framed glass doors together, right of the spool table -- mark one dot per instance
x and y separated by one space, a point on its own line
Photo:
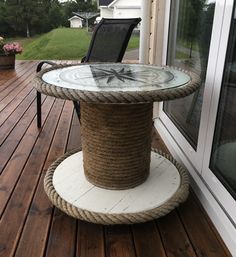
202 126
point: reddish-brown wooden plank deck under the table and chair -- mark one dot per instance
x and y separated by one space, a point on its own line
31 227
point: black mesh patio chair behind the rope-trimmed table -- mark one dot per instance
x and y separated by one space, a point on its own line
108 44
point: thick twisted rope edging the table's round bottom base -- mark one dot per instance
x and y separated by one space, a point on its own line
119 218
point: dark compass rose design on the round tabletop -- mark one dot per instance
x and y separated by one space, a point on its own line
114 77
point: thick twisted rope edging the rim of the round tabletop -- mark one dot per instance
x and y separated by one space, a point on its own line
119 96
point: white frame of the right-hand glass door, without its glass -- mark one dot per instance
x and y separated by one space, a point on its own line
220 192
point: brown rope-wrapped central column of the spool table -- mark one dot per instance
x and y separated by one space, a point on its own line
116 143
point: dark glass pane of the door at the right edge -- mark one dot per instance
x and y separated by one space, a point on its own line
223 156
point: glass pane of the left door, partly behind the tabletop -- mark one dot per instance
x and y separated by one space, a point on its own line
188 48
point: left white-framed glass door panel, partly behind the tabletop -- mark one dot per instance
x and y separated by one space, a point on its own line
194 33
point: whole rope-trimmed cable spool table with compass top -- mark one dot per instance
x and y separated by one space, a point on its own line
117 178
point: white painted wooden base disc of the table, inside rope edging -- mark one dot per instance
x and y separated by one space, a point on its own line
70 183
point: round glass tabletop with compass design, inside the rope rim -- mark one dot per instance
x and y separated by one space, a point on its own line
112 77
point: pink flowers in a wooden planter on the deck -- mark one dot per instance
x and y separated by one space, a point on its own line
7 54
